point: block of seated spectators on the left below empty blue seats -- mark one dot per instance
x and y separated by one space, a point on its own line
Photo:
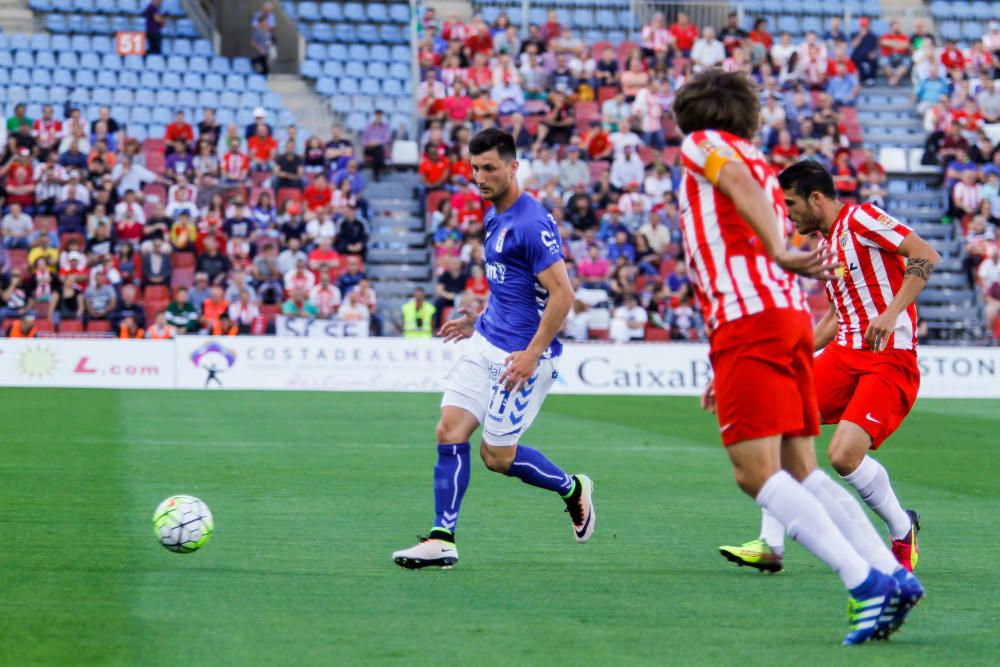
214 230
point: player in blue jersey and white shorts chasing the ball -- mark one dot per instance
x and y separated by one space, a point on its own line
509 363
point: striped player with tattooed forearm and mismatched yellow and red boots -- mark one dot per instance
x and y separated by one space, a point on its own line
867 376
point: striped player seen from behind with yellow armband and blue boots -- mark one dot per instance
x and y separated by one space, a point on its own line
734 223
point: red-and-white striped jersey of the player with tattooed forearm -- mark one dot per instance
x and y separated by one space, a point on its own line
866 239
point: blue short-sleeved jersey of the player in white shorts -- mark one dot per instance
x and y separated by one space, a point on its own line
521 242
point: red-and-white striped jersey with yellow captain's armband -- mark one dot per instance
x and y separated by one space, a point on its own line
730 269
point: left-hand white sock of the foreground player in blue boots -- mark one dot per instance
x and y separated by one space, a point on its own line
809 524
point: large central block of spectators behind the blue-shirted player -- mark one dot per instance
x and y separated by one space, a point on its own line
597 144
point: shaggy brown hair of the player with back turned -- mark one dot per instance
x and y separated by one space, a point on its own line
717 100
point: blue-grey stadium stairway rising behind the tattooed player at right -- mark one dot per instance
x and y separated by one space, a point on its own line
894 131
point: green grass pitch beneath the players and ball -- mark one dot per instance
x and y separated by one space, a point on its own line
312 492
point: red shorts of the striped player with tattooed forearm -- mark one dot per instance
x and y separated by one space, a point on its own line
874 390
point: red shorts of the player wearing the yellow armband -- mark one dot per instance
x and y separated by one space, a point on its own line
763 376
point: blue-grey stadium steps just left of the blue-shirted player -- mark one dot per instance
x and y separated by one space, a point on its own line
399 254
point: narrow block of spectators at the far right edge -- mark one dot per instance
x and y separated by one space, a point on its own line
956 91
